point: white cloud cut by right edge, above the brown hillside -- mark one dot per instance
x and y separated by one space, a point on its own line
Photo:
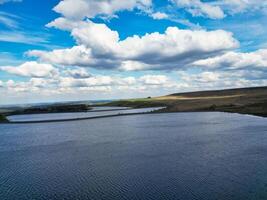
236 60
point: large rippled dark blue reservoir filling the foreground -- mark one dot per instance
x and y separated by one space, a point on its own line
185 156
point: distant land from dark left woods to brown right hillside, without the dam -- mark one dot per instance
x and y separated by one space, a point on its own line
251 101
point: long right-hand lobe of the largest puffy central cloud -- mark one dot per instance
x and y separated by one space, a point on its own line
175 43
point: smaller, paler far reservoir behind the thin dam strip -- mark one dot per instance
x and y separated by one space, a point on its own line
105 111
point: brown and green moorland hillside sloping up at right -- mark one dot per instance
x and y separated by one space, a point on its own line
244 100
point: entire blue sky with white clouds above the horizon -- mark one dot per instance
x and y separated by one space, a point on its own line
72 50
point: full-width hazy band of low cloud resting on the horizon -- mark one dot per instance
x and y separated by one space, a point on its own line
118 86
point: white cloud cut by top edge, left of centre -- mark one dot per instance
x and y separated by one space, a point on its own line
78 9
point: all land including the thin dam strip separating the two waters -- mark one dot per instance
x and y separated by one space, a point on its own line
250 101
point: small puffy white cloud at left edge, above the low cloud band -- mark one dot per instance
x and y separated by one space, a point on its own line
31 69
